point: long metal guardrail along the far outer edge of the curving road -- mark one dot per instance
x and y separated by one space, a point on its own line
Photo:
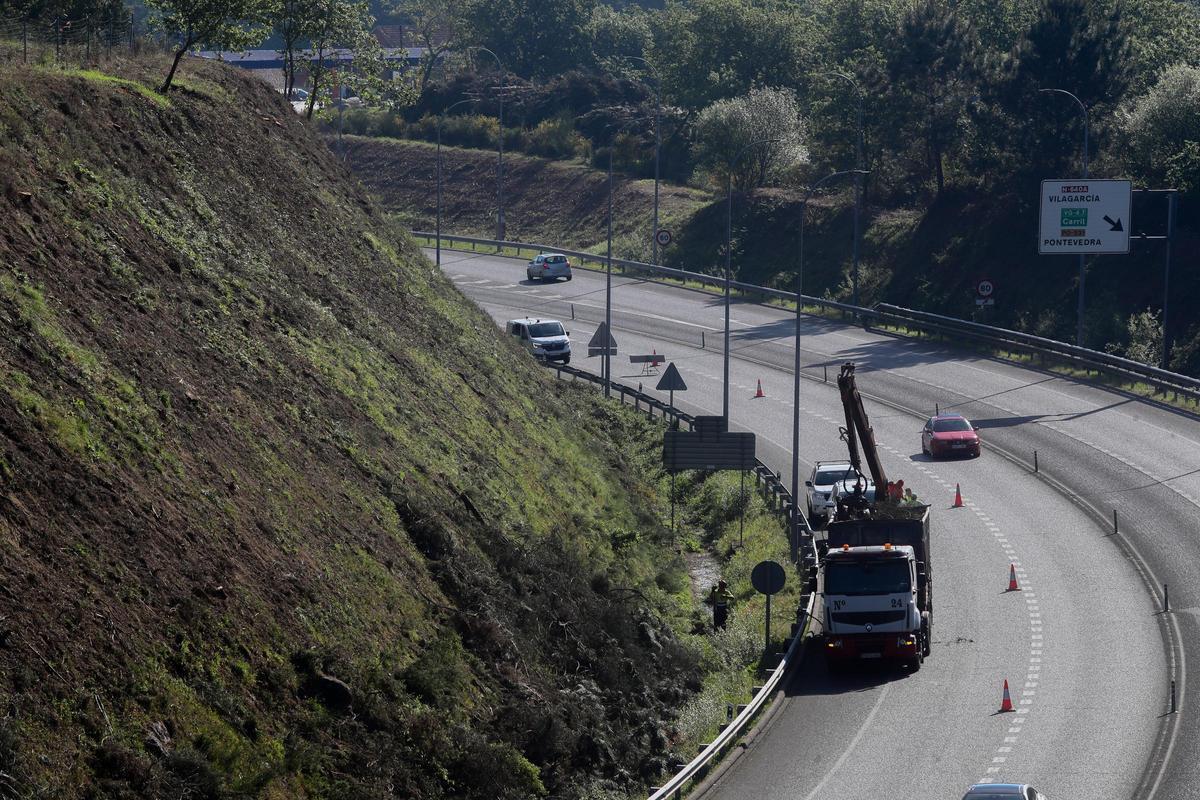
886 315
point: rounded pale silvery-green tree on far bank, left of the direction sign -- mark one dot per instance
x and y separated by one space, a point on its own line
729 130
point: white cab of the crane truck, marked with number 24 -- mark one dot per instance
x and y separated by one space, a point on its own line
872 610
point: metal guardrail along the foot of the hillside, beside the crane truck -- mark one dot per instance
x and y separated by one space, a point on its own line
781 500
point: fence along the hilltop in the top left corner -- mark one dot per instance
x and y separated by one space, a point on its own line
83 41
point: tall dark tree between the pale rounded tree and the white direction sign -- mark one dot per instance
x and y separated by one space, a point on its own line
929 74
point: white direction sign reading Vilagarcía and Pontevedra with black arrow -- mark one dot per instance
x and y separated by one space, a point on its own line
1083 216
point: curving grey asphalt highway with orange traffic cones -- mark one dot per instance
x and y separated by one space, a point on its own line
1085 649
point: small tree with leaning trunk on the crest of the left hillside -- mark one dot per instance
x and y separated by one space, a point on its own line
225 25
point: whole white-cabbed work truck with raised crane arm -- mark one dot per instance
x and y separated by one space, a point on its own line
875 581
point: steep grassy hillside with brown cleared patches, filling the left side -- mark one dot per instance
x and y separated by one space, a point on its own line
281 514
